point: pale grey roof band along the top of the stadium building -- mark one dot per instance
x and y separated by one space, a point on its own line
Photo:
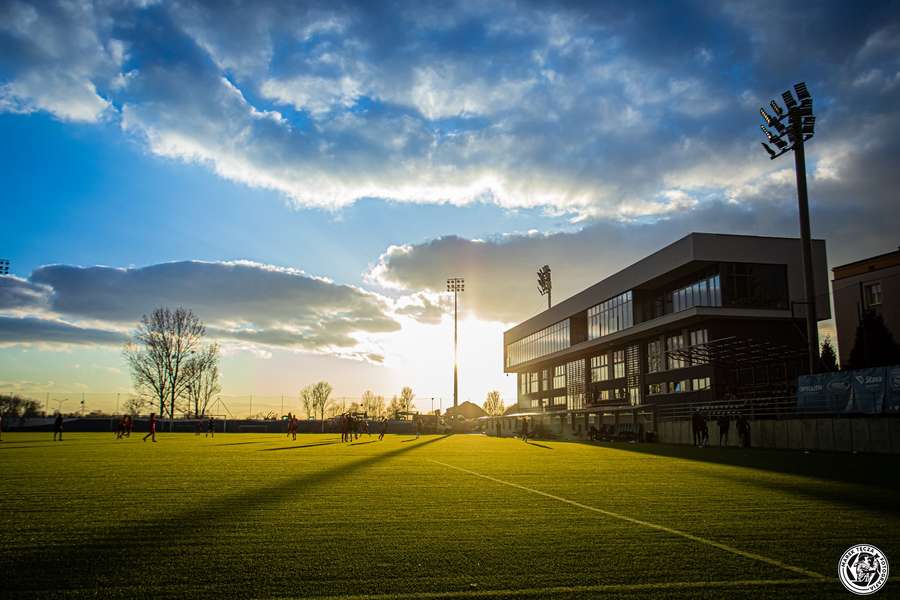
695 248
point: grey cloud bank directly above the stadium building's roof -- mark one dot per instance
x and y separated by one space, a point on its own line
500 272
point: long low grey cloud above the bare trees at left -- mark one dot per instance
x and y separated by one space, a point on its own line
242 301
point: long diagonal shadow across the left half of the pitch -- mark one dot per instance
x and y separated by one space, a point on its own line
173 547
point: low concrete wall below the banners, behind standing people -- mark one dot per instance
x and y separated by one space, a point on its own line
827 434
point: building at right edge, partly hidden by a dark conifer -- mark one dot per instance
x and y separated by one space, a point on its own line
870 283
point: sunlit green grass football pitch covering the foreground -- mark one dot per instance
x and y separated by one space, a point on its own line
247 515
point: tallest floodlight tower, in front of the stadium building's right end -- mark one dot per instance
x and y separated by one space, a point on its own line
800 127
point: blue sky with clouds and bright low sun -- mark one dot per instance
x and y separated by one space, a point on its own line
305 176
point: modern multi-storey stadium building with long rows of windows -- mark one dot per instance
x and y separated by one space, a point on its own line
710 316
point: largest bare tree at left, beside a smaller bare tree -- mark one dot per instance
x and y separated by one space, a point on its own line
163 344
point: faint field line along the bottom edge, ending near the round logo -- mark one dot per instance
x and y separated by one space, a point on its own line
603 587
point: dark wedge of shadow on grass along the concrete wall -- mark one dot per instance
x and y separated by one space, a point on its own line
831 466
